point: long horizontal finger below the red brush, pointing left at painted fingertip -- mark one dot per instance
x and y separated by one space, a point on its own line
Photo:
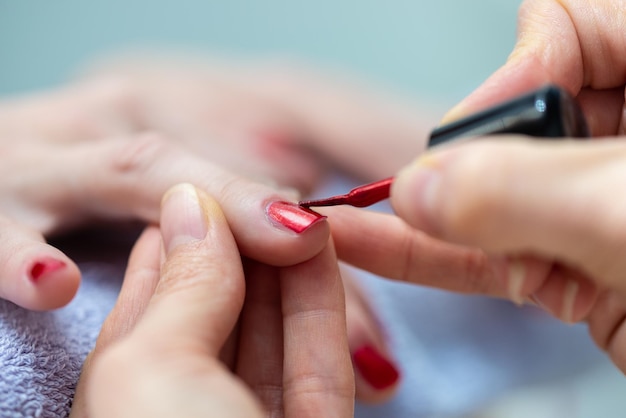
385 245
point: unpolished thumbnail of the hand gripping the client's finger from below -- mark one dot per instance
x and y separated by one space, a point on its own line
182 218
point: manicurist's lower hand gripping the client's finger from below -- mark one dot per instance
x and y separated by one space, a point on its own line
183 341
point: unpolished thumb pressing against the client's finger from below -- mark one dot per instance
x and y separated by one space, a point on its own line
202 264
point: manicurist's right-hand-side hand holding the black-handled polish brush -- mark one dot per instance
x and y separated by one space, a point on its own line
547 217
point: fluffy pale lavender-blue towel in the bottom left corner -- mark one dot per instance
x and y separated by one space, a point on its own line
41 353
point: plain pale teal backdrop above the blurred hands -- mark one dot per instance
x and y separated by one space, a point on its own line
441 49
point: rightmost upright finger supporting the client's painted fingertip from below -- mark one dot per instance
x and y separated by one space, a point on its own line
317 370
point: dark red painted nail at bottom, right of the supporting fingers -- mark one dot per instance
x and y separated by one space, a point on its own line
379 372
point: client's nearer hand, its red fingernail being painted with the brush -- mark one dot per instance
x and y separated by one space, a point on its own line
48 186
